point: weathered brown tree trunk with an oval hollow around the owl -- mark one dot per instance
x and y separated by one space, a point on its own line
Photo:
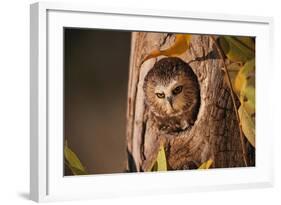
215 133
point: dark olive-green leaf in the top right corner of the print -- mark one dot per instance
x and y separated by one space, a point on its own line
236 49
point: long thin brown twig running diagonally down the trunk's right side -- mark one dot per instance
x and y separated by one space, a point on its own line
233 100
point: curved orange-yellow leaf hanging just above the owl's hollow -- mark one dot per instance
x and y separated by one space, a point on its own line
181 44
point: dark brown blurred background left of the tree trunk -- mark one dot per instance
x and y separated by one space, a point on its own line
96 64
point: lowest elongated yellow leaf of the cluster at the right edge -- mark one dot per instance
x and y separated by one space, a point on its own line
248 125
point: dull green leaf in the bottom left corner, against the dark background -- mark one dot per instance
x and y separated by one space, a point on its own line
73 162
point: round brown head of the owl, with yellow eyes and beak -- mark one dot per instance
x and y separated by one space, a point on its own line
171 87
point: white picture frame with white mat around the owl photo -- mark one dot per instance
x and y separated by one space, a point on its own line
47 182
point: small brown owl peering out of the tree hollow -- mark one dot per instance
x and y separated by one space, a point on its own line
172 95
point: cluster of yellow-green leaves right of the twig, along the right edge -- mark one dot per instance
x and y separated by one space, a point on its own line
240 51
